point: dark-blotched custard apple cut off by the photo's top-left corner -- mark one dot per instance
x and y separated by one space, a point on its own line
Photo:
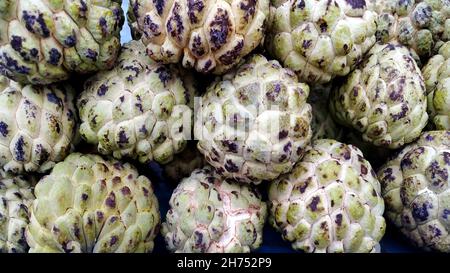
43 42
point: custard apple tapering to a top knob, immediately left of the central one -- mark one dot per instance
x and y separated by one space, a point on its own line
139 109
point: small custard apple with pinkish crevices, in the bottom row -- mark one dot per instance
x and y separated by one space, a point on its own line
209 214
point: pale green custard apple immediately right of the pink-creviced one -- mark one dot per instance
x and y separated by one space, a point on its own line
330 202
